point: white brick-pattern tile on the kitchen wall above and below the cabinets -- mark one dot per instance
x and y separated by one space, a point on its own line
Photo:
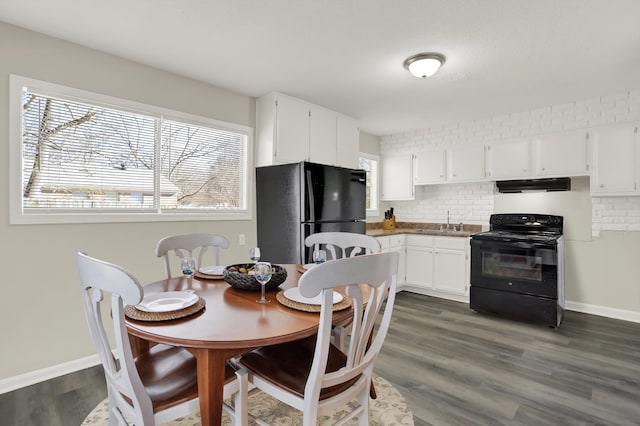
474 203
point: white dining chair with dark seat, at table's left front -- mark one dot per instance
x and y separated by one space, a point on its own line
153 387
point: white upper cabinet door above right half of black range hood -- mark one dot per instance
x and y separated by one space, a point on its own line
562 154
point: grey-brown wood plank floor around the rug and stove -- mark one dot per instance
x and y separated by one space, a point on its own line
454 367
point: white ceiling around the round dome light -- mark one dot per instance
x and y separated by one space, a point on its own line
503 56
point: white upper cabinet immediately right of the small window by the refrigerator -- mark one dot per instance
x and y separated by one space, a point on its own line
397 178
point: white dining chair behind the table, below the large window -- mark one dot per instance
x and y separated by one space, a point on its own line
192 245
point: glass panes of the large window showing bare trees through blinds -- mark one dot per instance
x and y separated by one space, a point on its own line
87 156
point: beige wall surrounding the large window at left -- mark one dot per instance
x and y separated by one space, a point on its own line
41 318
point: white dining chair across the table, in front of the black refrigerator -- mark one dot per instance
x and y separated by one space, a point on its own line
339 245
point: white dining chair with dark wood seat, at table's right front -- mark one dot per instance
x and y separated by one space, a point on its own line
312 374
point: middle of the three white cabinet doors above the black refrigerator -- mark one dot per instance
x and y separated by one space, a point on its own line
322 135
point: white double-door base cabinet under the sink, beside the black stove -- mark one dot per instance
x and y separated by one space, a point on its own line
438 266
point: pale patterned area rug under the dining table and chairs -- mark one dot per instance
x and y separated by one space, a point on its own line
389 408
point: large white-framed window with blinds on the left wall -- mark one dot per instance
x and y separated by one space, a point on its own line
81 157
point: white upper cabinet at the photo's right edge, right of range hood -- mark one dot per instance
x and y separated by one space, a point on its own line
616 158
